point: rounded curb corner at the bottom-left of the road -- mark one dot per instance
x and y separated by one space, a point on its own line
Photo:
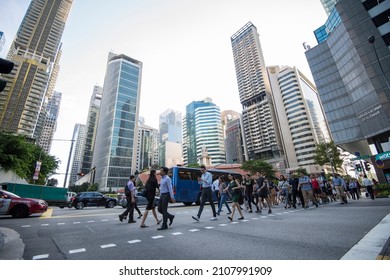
12 246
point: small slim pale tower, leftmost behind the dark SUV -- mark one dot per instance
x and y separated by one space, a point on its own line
77 155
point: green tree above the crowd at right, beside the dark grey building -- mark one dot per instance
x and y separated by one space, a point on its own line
328 153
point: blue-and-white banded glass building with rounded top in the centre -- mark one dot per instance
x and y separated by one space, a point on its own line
202 132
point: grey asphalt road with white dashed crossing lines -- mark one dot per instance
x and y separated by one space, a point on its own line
324 233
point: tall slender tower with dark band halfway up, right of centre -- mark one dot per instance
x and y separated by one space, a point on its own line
259 124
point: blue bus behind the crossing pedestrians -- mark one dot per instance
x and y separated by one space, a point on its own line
185 184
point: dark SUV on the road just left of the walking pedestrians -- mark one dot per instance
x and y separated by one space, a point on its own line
85 199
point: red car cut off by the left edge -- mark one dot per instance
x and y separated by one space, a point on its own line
18 207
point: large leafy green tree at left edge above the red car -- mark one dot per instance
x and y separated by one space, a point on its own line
19 155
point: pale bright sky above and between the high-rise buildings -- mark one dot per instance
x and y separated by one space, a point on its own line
184 46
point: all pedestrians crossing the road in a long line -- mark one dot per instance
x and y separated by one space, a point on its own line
259 192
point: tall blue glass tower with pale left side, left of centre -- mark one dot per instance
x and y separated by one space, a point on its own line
115 151
